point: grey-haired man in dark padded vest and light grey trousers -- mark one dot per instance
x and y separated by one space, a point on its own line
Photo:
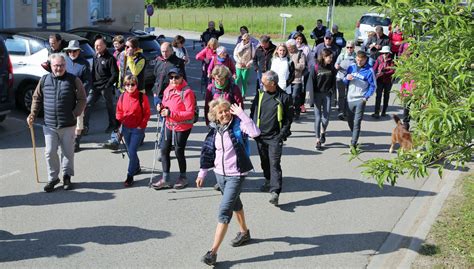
63 99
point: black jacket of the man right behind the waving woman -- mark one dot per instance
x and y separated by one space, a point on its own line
269 125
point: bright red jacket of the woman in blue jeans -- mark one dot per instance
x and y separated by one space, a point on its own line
130 113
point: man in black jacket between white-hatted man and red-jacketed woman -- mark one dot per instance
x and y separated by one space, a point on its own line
104 76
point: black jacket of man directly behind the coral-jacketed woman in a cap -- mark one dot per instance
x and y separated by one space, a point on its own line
162 67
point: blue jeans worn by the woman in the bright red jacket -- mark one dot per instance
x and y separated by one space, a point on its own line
133 137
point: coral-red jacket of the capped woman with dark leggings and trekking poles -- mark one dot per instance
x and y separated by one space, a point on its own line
180 110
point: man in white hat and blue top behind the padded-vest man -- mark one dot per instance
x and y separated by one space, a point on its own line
79 67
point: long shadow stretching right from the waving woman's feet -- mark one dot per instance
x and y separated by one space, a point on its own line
323 245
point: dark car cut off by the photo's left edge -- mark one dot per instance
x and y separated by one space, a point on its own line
6 82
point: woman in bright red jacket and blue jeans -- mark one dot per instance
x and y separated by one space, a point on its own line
133 112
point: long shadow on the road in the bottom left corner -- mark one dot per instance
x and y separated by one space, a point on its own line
62 243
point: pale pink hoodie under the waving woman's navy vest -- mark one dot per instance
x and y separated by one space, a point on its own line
225 150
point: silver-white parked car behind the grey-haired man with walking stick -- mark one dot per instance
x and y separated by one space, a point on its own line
28 48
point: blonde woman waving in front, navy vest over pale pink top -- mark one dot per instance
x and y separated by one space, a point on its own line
226 150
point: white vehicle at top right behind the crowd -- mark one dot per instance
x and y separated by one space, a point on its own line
368 22
